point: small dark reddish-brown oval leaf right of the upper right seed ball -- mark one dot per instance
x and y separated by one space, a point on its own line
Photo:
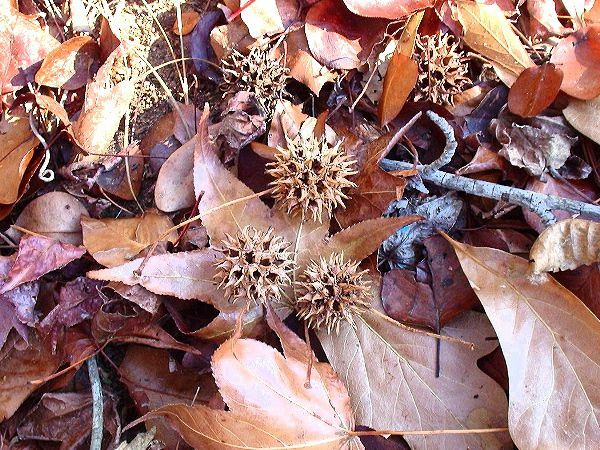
534 90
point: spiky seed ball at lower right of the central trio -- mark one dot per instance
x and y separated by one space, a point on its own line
331 291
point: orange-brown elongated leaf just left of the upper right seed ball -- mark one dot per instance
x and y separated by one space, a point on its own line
399 81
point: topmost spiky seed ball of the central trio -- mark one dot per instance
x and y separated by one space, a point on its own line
310 176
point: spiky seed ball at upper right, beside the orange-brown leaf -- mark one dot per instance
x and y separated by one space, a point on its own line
442 69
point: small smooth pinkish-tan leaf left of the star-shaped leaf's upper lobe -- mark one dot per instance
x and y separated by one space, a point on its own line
175 183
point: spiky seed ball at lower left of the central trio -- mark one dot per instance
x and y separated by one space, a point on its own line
255 265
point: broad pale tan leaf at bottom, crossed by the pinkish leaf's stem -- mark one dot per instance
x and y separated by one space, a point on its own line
391 377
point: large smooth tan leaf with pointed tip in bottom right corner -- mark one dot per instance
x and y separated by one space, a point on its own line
548 337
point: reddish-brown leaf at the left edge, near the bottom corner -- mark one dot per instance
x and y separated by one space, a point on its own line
19 365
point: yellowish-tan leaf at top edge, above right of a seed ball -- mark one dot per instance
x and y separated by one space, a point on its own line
488 32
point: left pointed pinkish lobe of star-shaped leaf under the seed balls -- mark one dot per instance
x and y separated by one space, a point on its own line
186 275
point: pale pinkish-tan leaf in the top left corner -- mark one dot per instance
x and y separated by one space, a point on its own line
23 45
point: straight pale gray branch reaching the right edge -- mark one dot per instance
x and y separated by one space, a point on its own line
541 204
